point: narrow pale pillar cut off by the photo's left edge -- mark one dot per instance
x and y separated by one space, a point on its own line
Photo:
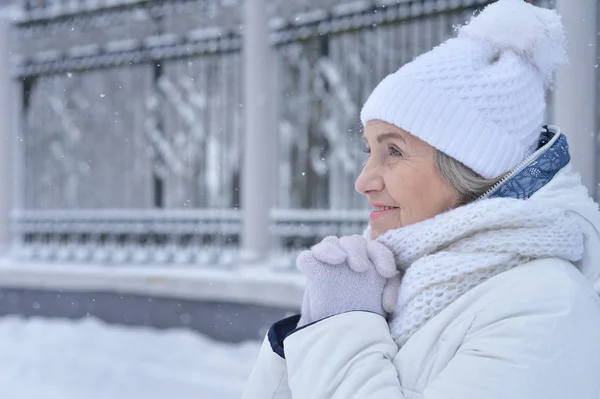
6 136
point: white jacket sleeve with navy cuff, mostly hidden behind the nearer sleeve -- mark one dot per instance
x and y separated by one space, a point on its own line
269 375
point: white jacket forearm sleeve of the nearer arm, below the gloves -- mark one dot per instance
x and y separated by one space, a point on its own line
345 356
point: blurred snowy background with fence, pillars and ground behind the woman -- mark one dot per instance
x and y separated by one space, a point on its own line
163 161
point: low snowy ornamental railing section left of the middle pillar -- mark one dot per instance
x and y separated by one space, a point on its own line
134 237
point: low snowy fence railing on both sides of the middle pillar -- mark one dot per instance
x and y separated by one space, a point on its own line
150 237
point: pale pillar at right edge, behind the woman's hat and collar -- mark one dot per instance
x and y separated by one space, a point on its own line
575 95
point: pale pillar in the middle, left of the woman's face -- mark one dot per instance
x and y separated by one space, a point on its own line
258 174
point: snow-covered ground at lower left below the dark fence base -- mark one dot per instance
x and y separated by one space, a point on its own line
88 359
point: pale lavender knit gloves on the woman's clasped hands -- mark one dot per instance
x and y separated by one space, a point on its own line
347 274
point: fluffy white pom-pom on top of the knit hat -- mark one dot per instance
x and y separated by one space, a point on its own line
532 32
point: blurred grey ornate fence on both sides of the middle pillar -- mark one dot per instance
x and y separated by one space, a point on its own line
132 121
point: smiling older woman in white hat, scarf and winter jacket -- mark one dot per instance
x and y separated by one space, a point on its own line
478 274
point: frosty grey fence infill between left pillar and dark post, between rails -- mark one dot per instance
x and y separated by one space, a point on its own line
84 141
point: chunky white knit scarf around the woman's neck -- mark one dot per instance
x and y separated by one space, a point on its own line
448 255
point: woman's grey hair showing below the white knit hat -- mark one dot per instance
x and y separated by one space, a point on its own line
467 184
